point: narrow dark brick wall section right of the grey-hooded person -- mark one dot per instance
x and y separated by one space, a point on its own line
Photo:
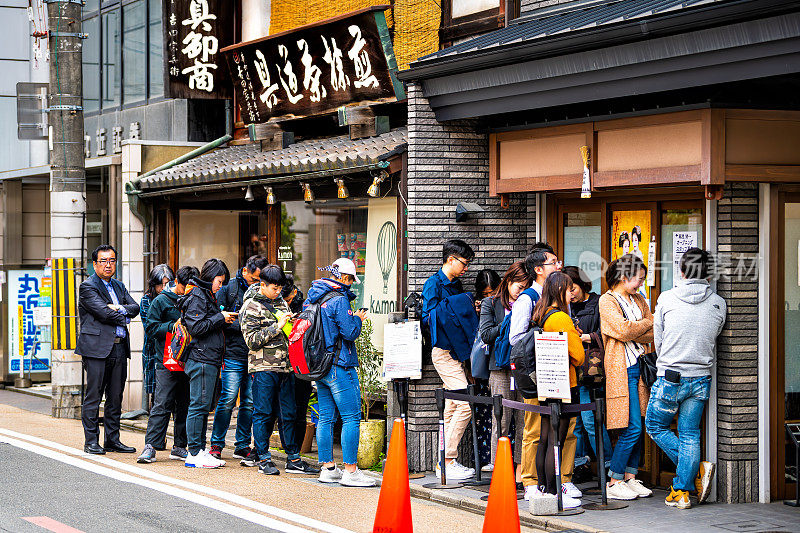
737 349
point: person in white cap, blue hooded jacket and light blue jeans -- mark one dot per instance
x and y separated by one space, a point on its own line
339 389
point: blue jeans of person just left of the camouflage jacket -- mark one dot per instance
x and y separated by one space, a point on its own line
235 382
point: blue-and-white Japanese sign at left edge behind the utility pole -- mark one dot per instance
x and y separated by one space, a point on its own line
23 341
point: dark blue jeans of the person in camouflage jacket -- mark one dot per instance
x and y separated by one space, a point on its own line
271 389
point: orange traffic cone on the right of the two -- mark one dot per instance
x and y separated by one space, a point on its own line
502 515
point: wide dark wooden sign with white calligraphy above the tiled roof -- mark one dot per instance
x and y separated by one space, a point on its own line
316 68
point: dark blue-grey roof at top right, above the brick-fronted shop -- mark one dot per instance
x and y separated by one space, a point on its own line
558 20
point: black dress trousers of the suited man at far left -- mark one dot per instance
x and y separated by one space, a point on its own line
104 377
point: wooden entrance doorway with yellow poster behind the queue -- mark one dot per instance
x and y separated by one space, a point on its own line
657 227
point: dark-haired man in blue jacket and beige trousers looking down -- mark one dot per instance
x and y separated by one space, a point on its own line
456 256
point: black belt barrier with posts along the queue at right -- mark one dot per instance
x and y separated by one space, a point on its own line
555 409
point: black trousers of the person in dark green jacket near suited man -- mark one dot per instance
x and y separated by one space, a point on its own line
171 397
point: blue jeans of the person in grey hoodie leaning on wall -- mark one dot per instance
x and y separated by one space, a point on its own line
686 399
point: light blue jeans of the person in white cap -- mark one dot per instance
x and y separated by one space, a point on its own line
339 390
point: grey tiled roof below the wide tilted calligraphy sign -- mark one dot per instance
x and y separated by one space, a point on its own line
248 161
